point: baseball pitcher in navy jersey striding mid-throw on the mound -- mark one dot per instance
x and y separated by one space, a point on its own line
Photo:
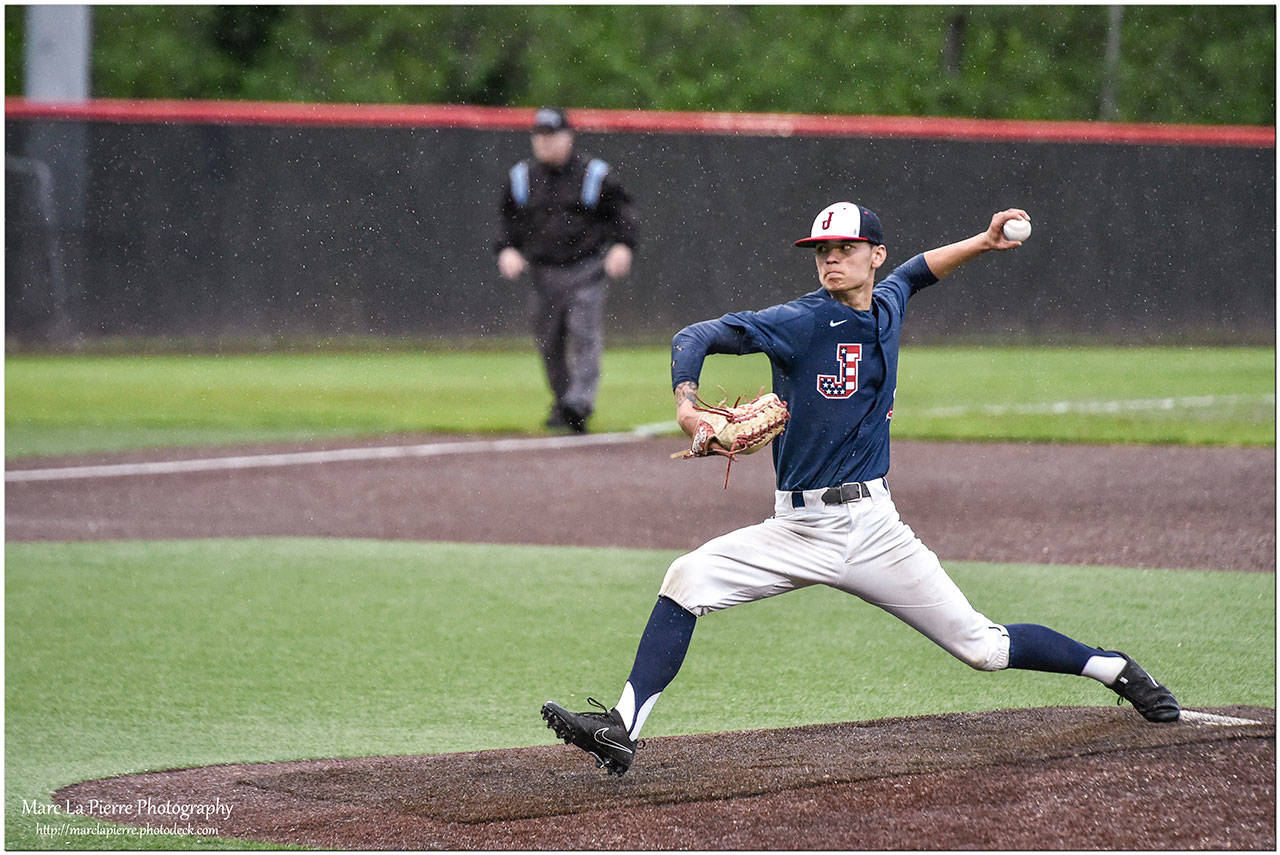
834 356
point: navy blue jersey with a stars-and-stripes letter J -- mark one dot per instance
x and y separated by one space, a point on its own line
835 367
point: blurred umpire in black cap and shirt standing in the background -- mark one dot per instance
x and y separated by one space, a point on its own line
568 222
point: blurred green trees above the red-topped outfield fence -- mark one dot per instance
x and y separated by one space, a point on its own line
1212 65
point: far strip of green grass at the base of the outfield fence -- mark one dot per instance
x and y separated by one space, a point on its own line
83 404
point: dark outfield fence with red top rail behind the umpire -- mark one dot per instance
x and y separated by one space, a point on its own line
271 221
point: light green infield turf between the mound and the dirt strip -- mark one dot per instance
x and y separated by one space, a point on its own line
202 652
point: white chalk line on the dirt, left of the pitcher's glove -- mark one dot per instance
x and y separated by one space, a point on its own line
336 456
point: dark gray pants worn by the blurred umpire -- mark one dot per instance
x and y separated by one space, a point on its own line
569 330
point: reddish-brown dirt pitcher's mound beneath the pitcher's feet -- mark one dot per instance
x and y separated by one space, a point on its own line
1031 779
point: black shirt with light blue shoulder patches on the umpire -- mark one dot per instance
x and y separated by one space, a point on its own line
556 226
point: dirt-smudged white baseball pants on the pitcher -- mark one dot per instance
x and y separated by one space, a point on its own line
862 548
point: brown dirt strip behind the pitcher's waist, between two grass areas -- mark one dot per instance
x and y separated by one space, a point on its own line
1128 506
